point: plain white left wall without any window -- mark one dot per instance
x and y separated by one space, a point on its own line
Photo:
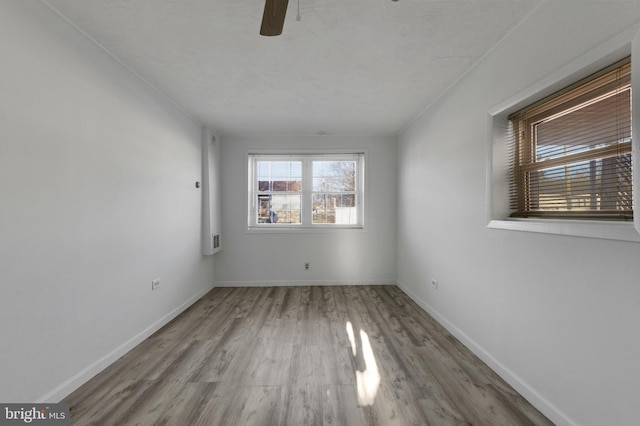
97 198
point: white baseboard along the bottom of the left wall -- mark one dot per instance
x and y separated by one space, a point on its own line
74 382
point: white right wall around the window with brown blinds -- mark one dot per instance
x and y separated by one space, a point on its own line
568 338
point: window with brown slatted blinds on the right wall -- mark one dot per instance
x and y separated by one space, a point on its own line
572 151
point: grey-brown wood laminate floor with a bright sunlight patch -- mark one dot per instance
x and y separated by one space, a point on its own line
359 355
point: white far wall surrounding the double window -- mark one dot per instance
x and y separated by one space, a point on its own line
336 257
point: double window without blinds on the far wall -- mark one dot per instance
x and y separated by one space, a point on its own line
305 191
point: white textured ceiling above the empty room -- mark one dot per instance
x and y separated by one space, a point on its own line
348 66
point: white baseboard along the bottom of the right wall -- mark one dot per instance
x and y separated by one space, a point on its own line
530 394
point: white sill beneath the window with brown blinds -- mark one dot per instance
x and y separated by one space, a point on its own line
620 231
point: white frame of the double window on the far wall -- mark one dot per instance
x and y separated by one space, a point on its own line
306 193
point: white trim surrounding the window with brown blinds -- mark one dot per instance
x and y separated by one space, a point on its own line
605 54
